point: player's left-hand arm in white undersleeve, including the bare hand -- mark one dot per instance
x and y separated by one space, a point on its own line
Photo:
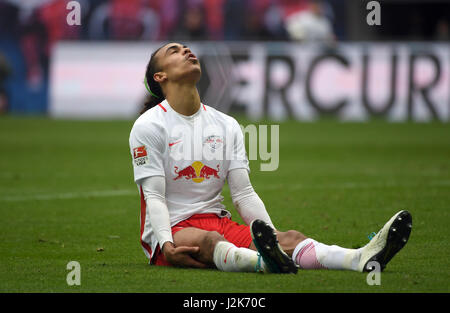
154 194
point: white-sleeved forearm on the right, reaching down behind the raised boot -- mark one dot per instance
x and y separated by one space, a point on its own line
246 201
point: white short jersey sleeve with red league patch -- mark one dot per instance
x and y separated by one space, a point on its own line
147 148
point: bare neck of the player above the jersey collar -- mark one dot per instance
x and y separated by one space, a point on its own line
184 99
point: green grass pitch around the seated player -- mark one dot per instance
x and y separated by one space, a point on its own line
67 193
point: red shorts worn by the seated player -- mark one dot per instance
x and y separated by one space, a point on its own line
235 233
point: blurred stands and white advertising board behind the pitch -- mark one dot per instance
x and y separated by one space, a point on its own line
263 58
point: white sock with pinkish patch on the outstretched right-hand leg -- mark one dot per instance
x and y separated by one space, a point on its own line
310 254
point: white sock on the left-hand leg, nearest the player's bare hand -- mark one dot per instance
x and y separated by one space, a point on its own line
229 258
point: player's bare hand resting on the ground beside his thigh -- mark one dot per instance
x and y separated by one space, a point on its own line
182 256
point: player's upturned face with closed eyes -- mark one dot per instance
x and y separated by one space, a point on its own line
179 63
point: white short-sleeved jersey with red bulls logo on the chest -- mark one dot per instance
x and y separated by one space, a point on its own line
194 154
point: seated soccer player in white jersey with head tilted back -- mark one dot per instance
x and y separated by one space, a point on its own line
183 151
